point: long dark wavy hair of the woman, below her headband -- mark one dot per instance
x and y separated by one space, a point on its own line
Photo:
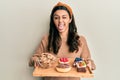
54 41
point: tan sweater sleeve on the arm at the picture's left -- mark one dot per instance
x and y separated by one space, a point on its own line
42 48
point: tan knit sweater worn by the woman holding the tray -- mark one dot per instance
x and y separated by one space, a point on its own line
63 52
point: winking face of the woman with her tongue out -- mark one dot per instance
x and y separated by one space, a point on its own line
61 19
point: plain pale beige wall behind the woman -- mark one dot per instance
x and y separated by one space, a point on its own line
24 22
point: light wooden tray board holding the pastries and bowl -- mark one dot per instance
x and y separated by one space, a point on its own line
40 72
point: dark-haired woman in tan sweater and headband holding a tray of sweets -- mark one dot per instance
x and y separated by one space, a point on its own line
63 40
